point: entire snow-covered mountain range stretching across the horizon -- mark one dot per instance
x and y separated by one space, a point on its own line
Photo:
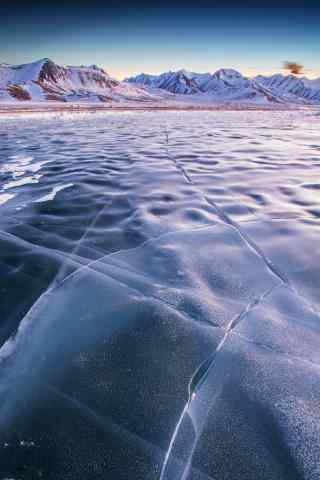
45 81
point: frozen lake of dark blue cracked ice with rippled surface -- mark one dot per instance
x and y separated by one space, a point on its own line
159 296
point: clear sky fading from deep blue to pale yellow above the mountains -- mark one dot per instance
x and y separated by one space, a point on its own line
127 38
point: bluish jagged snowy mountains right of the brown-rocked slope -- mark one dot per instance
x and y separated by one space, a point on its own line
231 86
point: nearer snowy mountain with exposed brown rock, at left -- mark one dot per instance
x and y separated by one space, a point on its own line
45 80
